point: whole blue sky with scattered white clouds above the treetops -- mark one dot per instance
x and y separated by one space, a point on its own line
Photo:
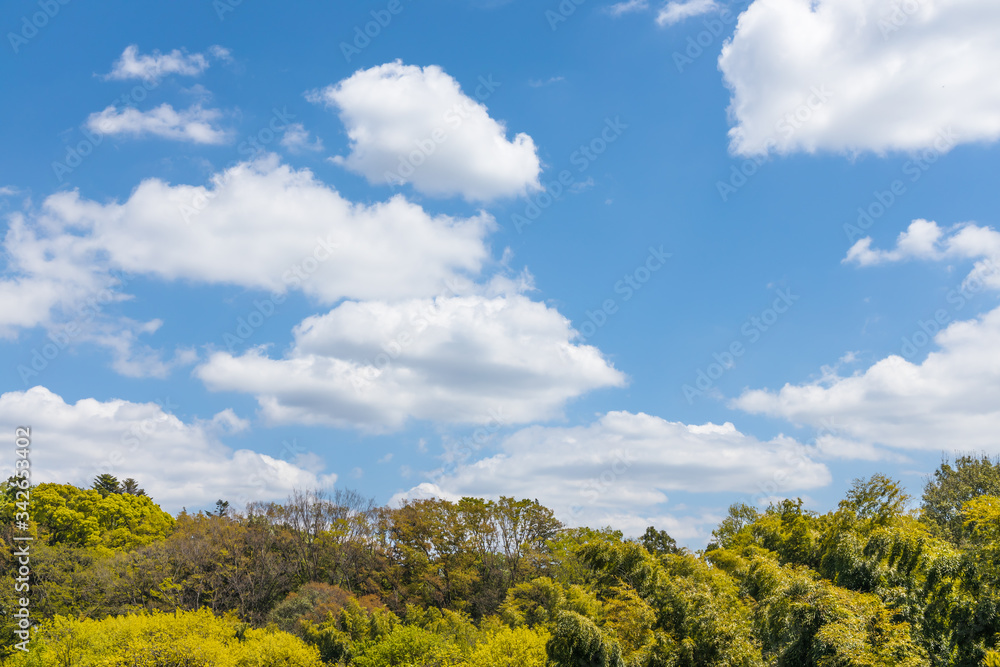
636 260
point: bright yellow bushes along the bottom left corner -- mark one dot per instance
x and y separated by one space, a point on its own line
191 639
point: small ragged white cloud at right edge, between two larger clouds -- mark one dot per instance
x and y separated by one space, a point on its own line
926 240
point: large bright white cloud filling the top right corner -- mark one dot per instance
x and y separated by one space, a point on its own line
865 75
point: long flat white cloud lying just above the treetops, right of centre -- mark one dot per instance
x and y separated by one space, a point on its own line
621 468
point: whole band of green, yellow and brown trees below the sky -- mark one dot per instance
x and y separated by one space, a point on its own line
335 579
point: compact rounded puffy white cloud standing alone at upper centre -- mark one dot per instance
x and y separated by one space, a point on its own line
415 125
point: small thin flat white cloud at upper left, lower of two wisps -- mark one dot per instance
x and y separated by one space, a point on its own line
194 124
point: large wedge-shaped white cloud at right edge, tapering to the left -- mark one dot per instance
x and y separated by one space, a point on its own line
949 401
